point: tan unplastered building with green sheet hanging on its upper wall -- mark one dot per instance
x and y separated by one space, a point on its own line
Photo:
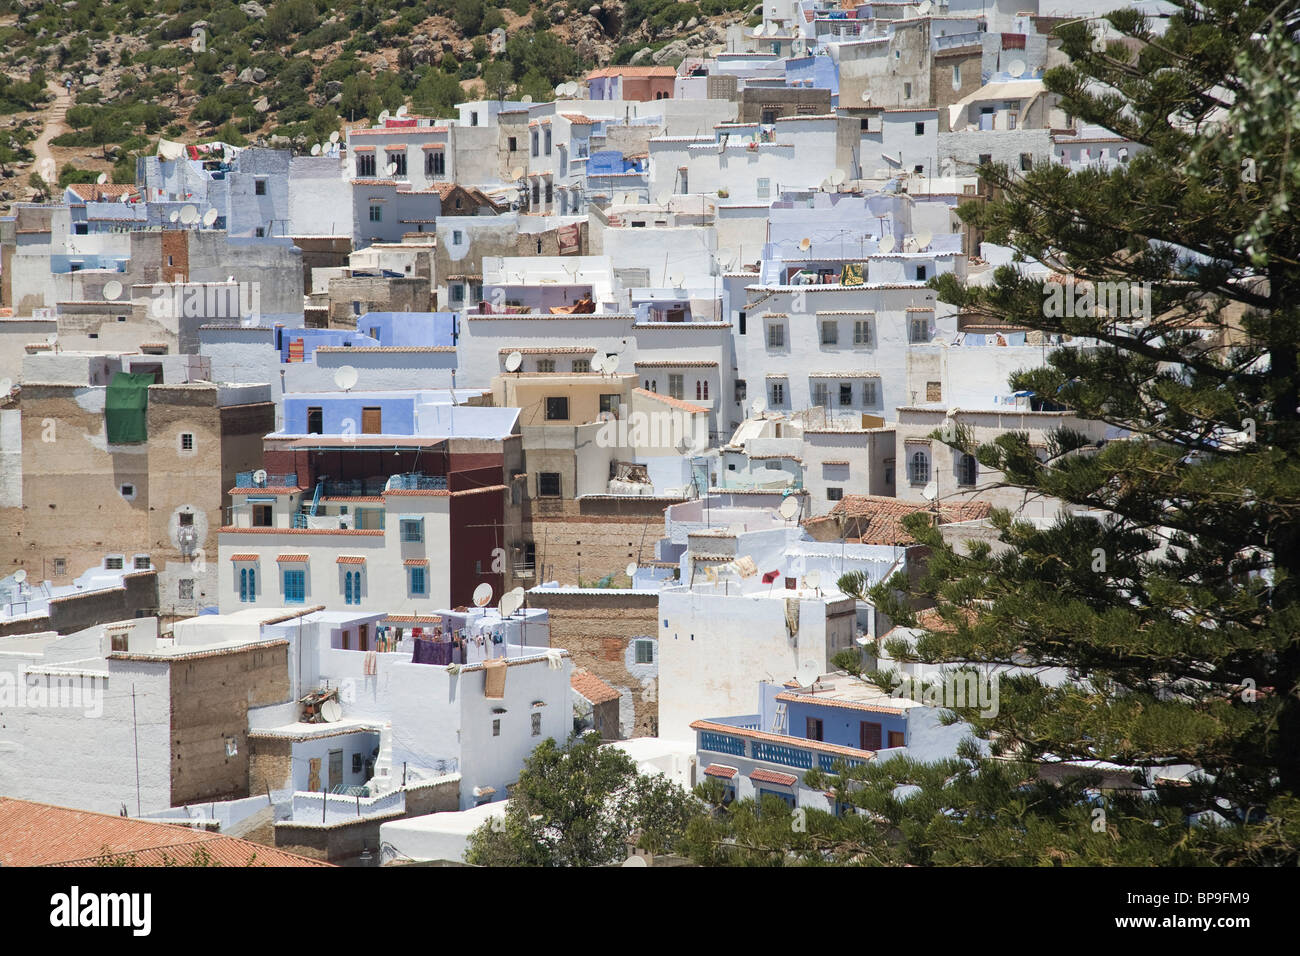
155 503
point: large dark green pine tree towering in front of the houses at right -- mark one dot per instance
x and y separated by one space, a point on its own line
1171 587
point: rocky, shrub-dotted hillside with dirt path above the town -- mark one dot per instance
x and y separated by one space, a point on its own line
85 86
